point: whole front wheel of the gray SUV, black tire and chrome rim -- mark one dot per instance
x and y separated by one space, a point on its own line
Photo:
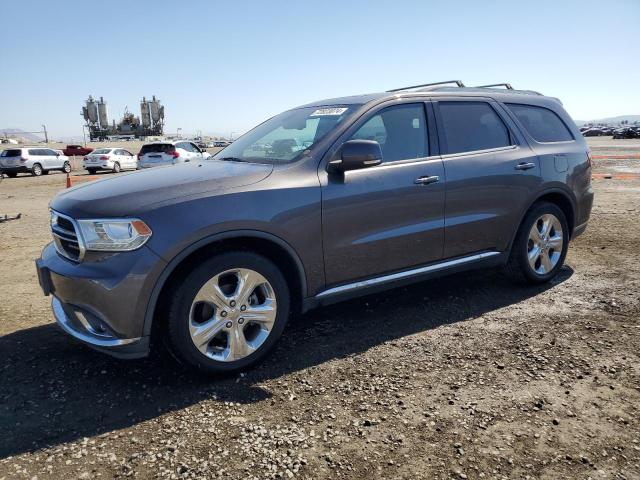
239 342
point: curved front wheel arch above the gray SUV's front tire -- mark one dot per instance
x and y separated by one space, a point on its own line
268 245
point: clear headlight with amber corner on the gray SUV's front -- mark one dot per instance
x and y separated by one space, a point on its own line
114 235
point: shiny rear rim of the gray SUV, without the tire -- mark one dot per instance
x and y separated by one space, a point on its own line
544 246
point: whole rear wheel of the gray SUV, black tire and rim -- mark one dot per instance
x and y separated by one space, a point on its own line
536 258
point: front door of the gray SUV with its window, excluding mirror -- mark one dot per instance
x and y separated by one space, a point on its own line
388 217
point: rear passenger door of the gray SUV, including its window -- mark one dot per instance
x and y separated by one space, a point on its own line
491 175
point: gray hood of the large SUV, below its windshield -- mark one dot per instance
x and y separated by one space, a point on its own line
133 193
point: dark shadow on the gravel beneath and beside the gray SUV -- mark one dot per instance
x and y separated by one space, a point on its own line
54 390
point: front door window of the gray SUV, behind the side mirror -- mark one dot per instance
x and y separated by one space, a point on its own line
400 130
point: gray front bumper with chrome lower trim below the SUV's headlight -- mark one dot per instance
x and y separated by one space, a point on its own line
102 301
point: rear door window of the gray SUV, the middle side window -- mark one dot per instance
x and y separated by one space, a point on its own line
471 126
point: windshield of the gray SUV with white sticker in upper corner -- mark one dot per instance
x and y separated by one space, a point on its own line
285 137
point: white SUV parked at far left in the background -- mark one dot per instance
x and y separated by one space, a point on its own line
34 160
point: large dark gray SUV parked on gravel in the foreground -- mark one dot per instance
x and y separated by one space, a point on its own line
327 201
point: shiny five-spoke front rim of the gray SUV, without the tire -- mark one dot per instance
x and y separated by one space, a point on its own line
232 314
